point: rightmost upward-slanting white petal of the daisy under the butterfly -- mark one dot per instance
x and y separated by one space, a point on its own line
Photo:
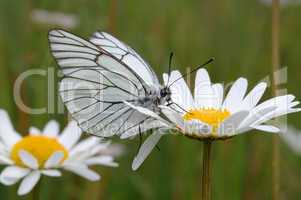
251 100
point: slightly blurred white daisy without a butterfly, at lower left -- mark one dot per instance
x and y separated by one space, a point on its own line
47 152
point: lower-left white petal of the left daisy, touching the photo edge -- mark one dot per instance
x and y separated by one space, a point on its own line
12 174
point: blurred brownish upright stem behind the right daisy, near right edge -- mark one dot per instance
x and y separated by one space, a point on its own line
275 67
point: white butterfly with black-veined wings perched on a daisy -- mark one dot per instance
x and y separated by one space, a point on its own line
103 75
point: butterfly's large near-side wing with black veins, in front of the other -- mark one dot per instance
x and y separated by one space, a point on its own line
96 84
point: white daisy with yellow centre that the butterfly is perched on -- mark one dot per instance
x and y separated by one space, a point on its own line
208 115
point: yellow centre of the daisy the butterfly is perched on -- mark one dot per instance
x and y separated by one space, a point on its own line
213 117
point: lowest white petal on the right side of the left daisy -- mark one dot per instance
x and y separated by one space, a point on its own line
84 172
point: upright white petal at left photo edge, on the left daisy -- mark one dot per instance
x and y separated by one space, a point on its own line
7 131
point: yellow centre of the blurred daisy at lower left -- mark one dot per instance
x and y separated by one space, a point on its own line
41 147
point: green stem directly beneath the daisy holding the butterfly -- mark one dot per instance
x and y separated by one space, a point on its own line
206 174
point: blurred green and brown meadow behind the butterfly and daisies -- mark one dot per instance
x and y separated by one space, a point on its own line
237 33
